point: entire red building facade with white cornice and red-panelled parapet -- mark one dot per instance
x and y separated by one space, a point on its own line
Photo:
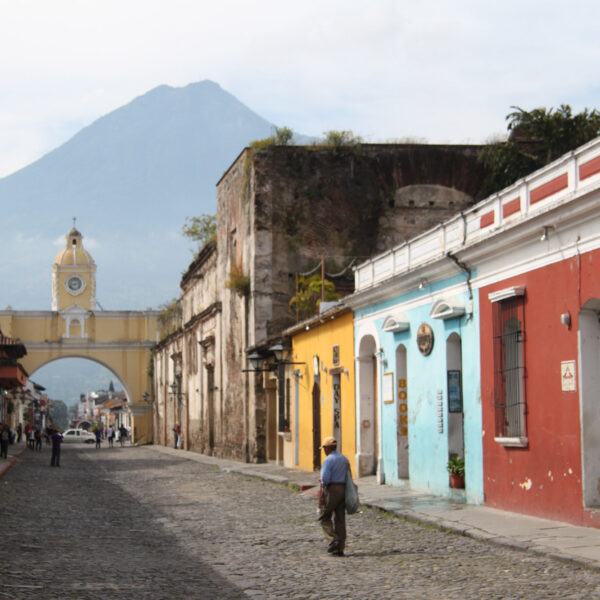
539 303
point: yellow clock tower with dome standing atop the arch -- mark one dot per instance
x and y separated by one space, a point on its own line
73 275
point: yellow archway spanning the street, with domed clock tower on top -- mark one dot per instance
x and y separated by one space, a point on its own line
121 341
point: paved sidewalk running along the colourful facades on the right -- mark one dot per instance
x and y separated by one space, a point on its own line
552 538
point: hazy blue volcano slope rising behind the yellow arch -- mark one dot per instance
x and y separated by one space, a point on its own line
130 178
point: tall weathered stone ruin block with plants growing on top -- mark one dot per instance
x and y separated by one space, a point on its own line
279 212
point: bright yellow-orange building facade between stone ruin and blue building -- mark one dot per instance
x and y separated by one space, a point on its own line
322 393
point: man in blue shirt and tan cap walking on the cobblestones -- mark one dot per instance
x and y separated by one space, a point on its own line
332 497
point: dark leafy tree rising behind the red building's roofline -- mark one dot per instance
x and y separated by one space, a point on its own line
536 138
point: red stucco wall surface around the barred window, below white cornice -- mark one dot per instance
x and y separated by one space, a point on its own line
545 478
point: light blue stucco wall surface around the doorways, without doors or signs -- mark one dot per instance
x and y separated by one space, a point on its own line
426 387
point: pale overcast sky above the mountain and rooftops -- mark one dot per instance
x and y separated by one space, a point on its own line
437 71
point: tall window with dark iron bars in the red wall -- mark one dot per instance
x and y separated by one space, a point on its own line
509 368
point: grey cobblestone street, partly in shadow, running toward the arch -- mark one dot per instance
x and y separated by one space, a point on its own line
134 523
